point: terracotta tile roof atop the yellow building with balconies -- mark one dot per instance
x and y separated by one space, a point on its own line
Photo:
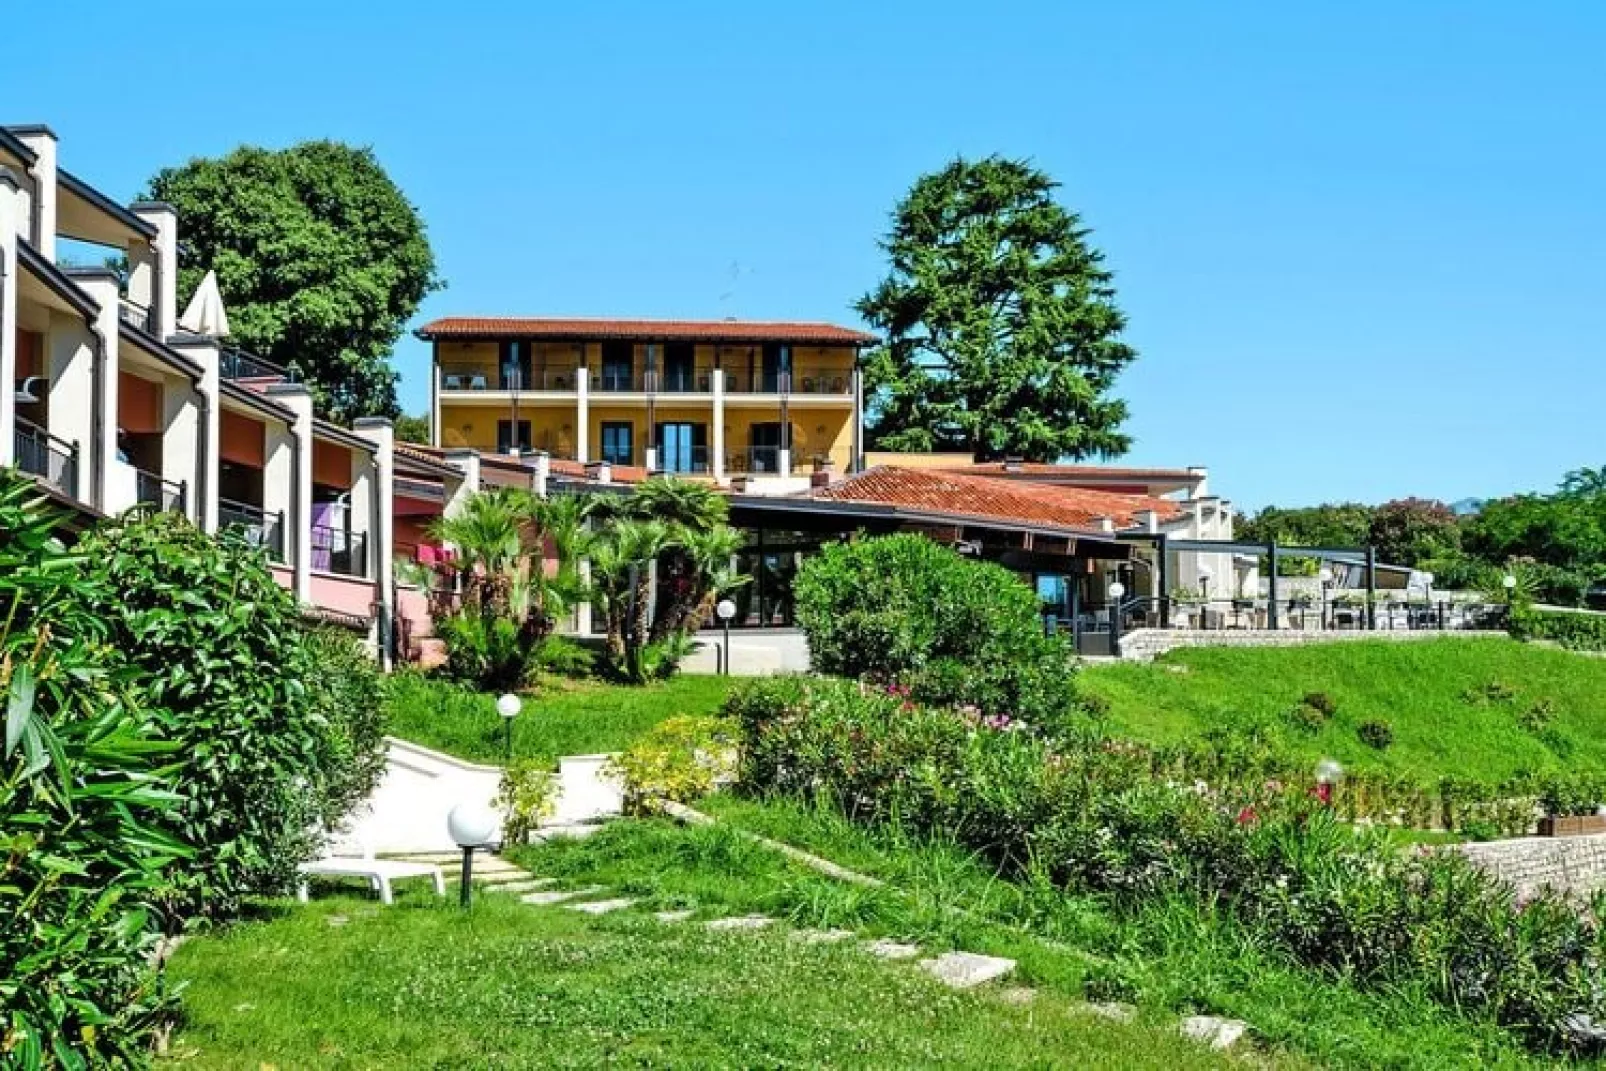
584 330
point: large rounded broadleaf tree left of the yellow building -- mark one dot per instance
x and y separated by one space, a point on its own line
320 258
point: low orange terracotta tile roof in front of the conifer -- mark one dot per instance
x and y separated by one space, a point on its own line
997 500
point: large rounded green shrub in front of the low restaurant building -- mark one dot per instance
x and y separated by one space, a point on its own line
958 632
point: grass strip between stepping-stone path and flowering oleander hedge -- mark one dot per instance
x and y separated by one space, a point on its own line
1172 959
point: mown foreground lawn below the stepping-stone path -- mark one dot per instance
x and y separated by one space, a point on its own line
425 985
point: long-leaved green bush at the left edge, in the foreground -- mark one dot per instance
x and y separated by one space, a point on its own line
86 805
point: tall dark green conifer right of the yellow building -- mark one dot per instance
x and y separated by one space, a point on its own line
1000 320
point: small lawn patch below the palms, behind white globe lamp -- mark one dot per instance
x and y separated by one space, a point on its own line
569 719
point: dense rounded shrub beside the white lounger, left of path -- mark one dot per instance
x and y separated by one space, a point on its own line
274 736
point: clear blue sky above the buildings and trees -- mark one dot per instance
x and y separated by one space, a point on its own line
1361 246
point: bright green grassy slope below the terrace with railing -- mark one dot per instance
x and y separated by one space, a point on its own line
1414 686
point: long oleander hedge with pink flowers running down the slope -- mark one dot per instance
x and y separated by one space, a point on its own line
1093 816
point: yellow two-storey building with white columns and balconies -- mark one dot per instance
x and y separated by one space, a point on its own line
715 399
